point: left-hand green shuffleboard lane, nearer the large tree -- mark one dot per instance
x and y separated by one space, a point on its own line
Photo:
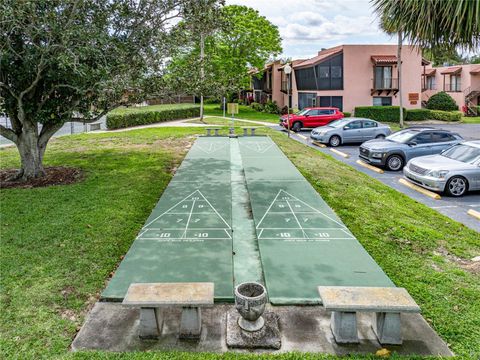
188 236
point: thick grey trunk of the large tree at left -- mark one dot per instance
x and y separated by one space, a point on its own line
31 153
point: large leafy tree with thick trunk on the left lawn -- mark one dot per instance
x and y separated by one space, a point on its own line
75 60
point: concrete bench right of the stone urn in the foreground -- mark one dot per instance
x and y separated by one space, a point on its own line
385 302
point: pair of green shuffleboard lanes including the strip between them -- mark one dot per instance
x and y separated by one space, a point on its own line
238 210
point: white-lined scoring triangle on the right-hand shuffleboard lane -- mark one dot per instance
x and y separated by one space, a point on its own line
289 218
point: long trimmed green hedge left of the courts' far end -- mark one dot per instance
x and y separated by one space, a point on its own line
142 117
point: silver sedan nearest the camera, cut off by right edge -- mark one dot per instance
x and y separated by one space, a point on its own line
455 170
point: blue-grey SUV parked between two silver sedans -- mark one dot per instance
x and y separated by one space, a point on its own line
397 149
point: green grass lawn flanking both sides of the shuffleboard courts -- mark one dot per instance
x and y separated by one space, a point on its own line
59 244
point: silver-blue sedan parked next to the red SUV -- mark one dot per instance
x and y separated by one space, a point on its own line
350 130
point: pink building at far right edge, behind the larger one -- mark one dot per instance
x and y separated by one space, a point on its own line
461 82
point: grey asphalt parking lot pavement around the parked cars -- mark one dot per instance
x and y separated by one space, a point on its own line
454 208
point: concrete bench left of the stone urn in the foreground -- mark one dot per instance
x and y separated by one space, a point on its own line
152 297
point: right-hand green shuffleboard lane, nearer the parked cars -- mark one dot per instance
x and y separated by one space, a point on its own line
303 244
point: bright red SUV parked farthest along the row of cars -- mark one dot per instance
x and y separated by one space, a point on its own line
311 117
